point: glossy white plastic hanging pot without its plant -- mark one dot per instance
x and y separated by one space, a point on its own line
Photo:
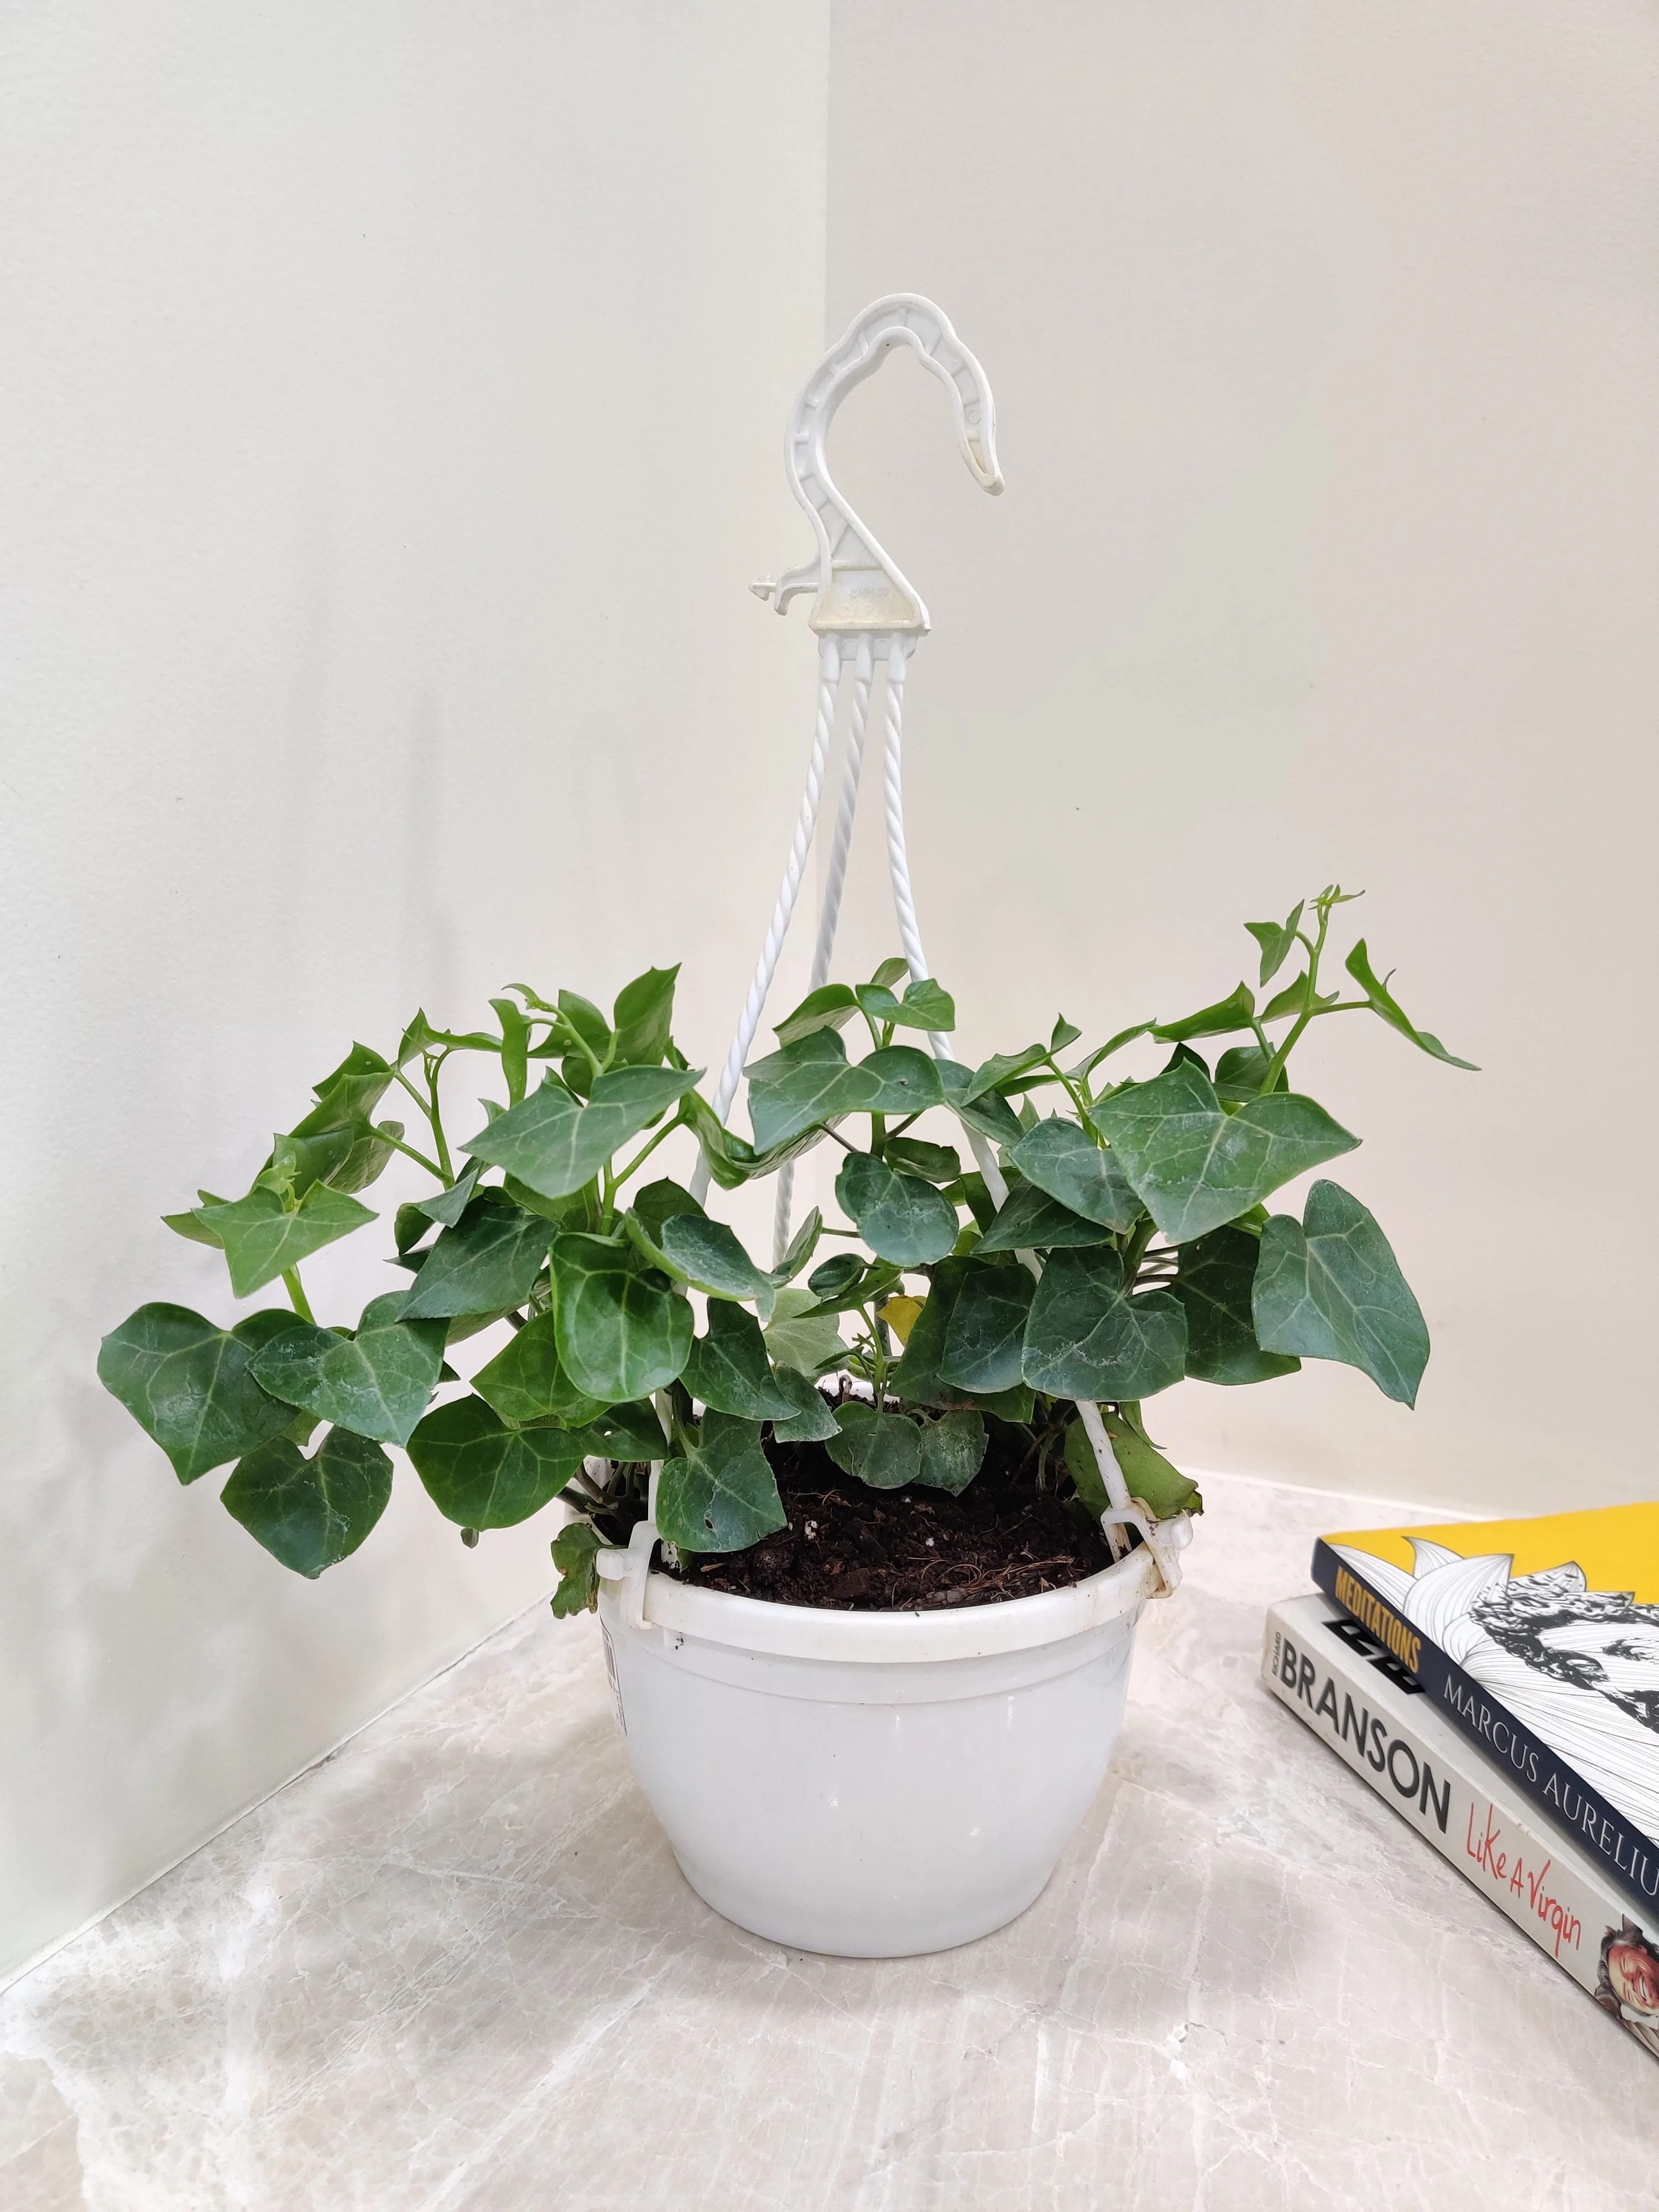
870 1784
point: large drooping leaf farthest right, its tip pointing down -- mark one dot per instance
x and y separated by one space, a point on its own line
1333 1291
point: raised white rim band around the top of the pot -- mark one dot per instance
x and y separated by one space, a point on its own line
1012 1625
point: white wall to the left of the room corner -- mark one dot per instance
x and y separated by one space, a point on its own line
390 432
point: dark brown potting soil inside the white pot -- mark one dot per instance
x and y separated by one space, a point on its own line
853 1550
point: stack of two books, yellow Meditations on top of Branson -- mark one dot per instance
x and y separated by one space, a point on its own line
1499 1684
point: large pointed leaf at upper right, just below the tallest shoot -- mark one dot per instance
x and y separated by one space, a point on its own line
1198 1167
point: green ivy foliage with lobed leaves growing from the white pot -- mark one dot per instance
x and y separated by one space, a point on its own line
1134 1249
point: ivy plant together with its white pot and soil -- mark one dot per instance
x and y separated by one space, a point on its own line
848 1521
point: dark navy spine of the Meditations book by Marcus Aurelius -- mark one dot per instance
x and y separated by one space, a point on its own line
1538 1771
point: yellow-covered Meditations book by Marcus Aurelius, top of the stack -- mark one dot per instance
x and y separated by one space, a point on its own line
1541 1642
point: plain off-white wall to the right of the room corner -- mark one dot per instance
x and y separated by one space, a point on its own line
1326 346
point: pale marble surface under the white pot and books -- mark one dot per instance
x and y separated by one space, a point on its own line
457 1968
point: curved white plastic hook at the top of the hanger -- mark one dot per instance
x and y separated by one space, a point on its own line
857 585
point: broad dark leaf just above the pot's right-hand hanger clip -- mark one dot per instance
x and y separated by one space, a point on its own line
1089 1339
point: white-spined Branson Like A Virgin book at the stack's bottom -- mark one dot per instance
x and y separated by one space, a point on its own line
1359 1700
